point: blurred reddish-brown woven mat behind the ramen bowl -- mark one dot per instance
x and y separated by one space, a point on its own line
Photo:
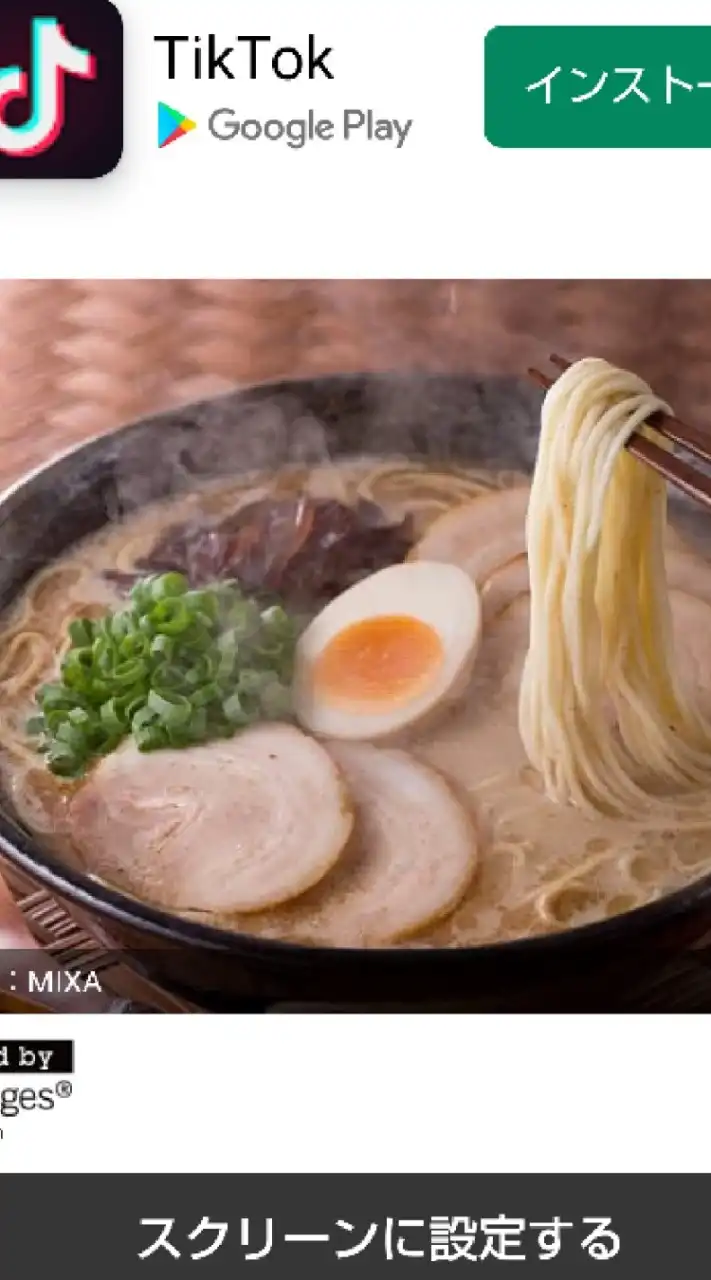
81 358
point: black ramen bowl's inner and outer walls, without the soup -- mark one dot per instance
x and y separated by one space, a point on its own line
653 958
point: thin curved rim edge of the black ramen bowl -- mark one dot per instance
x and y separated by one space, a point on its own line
24 851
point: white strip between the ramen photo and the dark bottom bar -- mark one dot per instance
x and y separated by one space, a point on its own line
355 1095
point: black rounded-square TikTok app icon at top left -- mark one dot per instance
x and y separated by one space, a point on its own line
61 89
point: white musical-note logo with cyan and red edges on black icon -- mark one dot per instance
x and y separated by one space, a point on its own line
53 58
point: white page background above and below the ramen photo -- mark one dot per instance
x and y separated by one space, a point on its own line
382 1094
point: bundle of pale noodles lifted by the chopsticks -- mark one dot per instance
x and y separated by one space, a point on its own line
601 715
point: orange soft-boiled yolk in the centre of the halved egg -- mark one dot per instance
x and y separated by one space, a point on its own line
386 660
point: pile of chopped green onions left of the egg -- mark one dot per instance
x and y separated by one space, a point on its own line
175 668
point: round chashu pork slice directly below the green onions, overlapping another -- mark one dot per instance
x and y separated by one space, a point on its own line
230 826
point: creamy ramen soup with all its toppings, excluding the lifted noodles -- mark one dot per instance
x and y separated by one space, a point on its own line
370 788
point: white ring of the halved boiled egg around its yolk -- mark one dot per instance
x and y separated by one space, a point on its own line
440 596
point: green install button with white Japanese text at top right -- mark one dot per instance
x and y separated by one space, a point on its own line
599 88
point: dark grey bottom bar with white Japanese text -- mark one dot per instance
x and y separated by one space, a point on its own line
154 1224
